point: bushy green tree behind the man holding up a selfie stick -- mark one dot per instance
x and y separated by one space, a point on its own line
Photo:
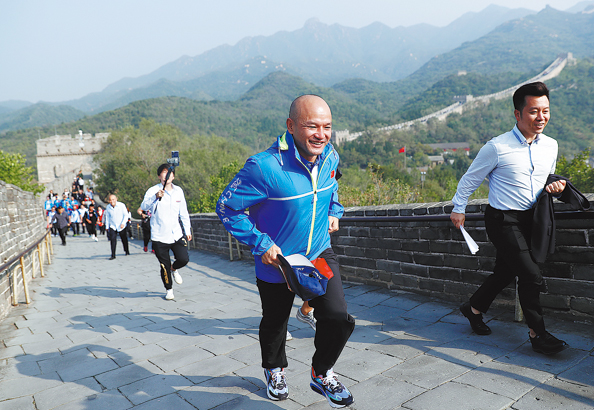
129 160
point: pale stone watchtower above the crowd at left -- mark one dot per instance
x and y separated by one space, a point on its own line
61 157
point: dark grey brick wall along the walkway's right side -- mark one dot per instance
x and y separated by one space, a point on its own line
430 257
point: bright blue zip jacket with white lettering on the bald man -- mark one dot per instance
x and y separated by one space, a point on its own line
287 205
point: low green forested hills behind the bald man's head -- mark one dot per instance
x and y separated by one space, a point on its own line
259 115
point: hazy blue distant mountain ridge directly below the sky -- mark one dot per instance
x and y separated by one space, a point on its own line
376 52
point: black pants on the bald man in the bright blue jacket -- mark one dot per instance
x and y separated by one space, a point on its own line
334 324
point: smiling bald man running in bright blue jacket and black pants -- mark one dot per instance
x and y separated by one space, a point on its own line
291 192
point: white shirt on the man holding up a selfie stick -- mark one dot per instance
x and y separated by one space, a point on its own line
166 213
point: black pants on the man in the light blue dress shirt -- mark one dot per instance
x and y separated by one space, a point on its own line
510 233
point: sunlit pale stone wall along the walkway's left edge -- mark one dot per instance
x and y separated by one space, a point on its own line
22 223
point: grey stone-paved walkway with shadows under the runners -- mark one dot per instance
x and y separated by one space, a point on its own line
99 335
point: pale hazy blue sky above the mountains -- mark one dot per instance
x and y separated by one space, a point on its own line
57 50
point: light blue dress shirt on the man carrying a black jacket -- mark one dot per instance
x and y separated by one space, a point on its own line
517 171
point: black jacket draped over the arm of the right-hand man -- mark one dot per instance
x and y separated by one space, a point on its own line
543 222
